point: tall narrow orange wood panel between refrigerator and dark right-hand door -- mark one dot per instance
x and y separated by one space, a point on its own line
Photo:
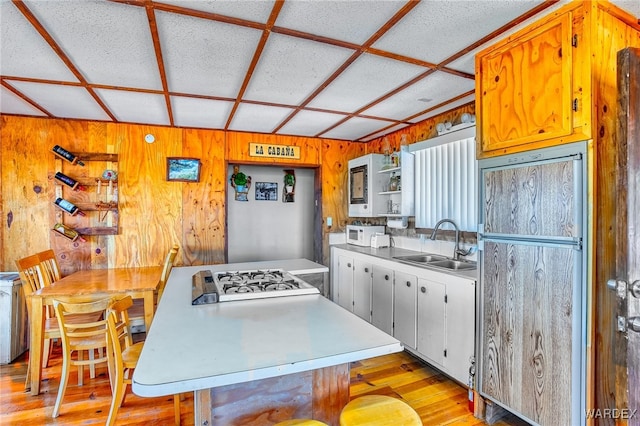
612 35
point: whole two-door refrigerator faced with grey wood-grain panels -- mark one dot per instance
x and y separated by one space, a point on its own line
533 286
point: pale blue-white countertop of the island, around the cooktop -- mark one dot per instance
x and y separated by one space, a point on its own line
199 347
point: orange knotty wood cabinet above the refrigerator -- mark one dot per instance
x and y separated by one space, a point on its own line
550 83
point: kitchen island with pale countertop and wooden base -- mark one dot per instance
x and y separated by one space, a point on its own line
255 361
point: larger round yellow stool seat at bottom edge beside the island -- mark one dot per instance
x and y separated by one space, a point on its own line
378 410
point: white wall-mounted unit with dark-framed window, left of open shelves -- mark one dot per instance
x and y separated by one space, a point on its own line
365 186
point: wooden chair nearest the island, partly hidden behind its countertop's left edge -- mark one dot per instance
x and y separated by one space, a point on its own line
123 356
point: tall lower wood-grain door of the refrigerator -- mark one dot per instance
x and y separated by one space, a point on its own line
530 359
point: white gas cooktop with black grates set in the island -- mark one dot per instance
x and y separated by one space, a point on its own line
243 285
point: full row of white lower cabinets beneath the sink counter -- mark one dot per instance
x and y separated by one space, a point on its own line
432 313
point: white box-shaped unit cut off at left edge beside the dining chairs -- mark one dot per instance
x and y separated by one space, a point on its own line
13 318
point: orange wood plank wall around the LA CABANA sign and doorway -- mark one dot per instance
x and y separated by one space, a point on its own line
153 213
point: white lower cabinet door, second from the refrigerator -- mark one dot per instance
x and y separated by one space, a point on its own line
431 316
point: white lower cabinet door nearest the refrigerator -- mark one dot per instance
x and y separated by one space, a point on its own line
460 327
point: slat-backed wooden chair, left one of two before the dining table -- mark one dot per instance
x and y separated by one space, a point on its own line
78 337
